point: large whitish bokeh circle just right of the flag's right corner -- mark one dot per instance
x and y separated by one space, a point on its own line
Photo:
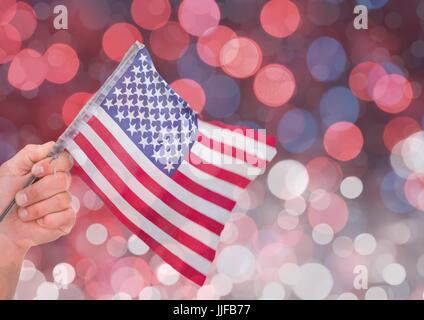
288 179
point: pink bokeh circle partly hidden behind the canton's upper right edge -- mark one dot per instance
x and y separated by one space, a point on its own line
191 92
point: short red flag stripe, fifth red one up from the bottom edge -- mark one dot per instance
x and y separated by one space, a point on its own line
220 173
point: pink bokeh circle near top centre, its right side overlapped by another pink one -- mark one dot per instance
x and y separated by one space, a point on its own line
209 45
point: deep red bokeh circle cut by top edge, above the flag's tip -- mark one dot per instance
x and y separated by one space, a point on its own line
149 14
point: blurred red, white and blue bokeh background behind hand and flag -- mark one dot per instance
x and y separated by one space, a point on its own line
345 192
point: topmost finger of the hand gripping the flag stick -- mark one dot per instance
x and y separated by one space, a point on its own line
23 161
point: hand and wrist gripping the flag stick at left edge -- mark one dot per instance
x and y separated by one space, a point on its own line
44 211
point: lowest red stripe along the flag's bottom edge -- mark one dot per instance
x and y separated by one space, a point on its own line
163 252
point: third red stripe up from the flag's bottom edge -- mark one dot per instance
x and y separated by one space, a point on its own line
160 192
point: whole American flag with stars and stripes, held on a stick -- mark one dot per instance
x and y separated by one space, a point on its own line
171 178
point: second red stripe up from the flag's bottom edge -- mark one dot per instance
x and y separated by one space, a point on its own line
144 209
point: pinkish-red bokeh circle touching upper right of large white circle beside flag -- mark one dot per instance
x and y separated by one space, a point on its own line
324 173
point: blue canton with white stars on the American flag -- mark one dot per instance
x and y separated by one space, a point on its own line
156 119
